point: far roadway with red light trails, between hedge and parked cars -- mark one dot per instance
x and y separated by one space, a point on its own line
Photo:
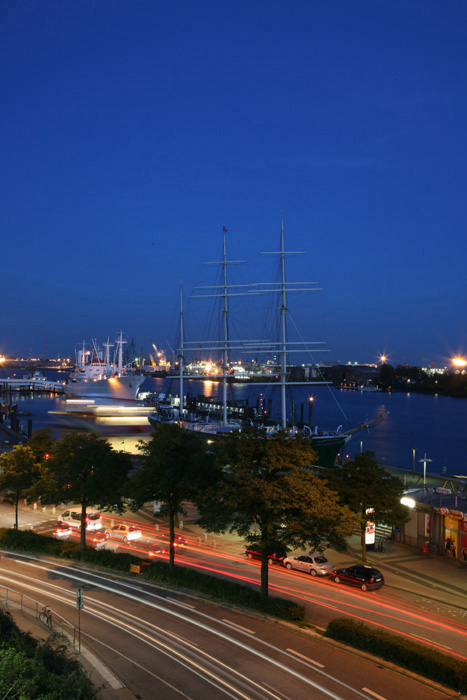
413 614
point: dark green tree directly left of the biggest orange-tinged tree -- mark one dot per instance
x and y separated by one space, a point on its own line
174 465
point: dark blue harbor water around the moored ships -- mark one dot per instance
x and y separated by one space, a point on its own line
415 425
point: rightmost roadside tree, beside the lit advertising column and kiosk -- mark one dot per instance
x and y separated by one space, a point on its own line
363 484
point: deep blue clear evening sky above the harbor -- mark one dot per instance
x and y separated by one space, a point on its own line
132 132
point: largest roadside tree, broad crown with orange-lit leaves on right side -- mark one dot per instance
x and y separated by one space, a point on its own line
262 480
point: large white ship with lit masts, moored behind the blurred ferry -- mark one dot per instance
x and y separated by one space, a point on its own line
98 377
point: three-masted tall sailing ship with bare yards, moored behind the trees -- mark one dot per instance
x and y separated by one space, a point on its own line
326 443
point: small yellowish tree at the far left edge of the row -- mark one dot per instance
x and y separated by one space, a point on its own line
19 472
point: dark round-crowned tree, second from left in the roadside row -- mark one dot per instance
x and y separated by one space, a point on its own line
84 468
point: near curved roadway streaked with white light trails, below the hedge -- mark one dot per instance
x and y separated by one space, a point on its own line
168 645
